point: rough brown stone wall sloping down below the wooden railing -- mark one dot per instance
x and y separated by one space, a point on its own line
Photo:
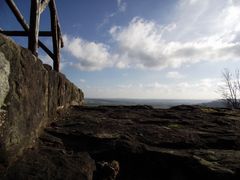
30 94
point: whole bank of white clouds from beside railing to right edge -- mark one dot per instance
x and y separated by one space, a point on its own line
200 31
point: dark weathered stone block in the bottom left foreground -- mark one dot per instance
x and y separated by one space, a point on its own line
52 163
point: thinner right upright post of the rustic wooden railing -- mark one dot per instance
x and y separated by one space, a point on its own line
55 35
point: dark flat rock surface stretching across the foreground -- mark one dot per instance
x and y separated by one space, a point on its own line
184 142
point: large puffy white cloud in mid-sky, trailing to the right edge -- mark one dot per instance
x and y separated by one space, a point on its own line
144 45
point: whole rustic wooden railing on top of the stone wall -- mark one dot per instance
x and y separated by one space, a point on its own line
32 30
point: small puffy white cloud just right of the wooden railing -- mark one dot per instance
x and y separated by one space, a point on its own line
90 56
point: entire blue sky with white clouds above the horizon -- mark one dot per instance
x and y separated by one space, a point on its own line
147 49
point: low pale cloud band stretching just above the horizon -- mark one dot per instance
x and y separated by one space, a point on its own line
202 89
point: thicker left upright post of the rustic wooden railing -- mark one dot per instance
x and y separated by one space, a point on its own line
34 26
